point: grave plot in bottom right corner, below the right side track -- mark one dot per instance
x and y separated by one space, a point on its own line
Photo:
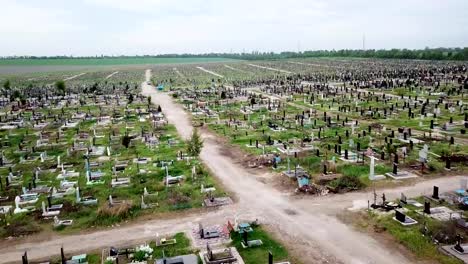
424 224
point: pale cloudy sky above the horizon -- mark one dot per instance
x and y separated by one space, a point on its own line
138 27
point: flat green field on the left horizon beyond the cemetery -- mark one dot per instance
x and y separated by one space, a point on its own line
106 61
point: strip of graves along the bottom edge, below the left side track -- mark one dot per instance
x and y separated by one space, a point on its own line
210 244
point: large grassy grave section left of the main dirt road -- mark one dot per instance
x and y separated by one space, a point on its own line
75 164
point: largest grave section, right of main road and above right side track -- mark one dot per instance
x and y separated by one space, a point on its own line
331 124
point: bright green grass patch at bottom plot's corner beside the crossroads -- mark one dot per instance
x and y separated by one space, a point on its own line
260 254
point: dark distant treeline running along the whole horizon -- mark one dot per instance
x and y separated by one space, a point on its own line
459 54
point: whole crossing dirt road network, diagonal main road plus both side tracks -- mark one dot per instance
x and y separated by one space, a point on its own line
308 225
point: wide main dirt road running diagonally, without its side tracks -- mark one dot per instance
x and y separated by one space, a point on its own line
320 237
